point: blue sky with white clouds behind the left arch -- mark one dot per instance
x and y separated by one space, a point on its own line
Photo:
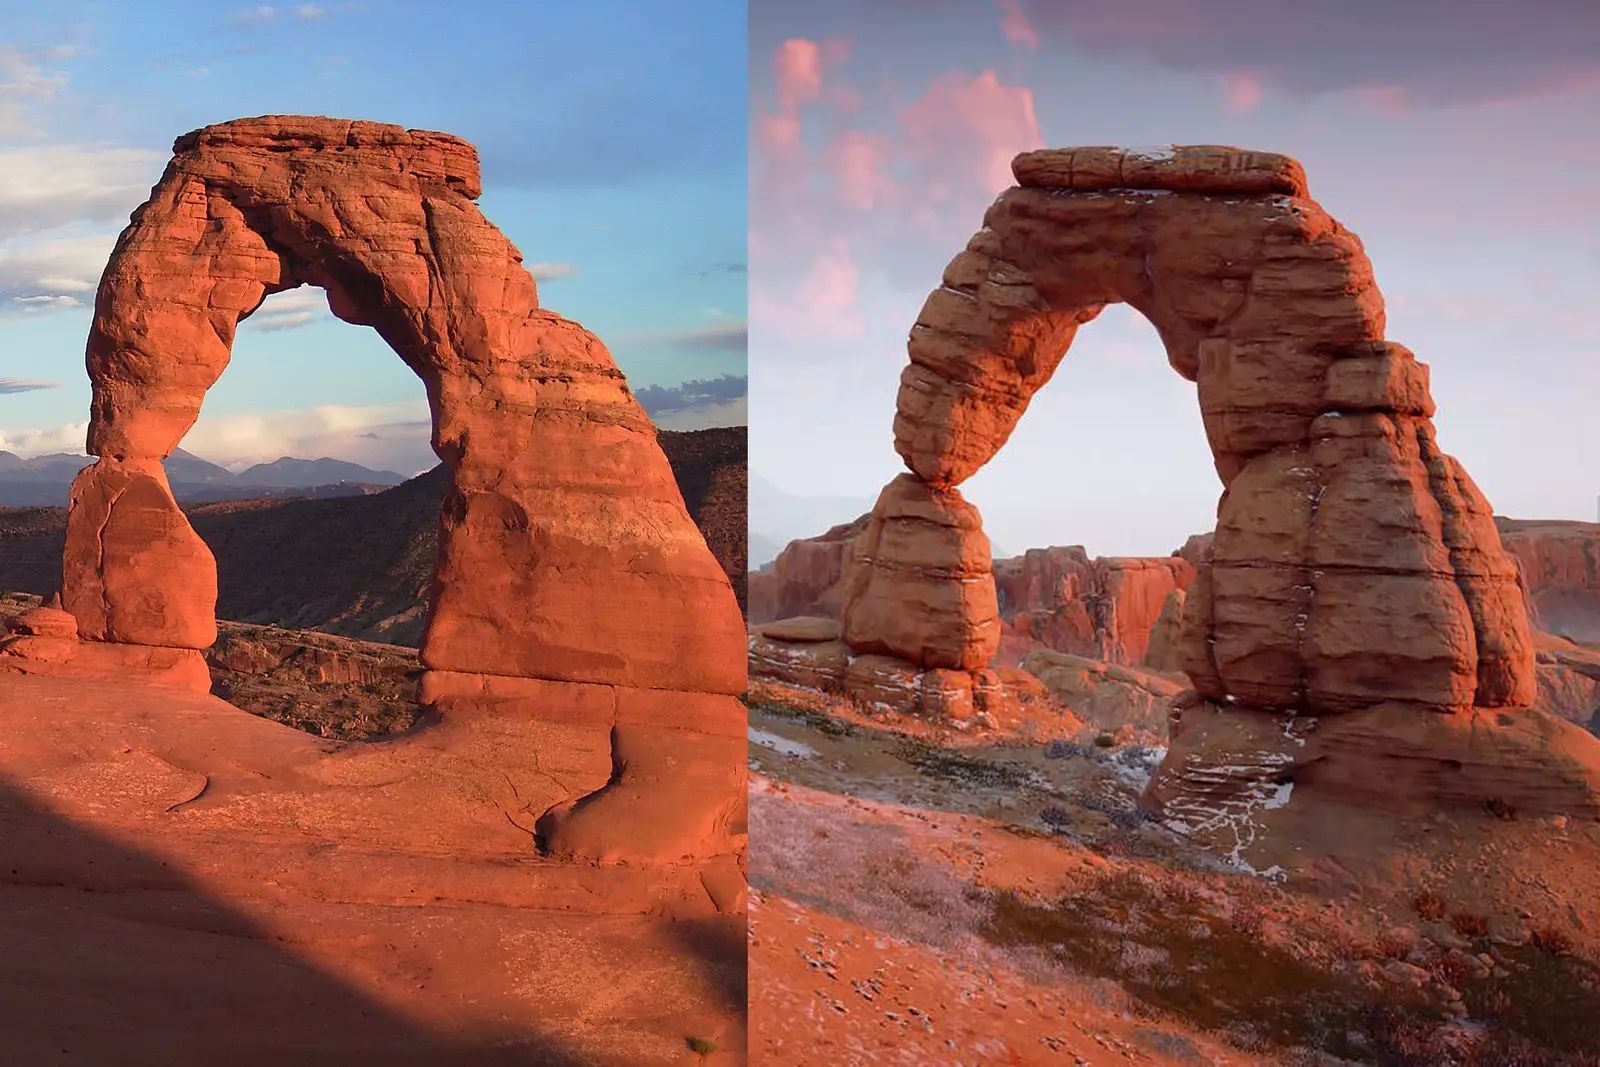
614 146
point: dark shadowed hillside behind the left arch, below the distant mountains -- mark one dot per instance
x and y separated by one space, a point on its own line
361 567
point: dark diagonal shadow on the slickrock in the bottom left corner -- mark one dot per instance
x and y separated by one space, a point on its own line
114 959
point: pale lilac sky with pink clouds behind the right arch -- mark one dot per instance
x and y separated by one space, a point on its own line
1457 138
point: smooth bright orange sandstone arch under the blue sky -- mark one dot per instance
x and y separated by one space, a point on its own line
567 556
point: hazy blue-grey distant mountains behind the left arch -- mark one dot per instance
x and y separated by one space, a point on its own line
47 481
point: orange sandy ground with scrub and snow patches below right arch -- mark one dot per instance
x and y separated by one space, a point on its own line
924 897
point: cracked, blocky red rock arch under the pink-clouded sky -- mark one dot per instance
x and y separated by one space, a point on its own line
1354 564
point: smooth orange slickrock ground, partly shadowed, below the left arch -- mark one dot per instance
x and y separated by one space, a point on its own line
188 884
